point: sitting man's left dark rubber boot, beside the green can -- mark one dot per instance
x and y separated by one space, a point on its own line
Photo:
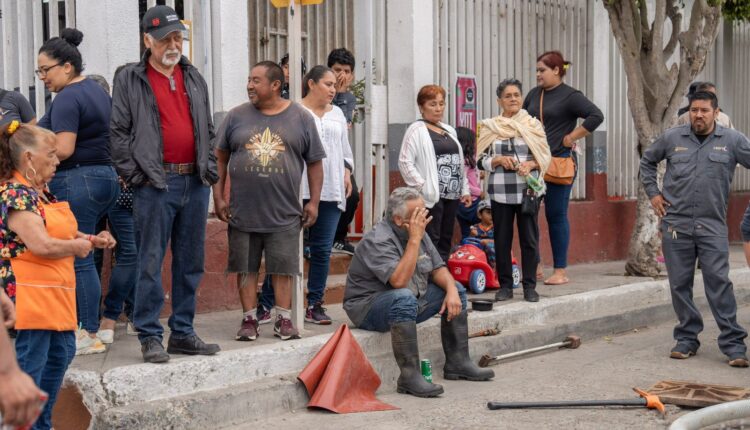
406 351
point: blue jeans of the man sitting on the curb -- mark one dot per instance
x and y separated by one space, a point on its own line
401 305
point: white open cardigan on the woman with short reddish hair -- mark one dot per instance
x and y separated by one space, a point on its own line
418 163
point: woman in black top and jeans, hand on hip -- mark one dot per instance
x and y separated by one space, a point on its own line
563 106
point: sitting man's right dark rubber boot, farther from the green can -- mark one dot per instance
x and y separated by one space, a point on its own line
455 337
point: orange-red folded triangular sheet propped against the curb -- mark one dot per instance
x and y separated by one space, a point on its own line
341 379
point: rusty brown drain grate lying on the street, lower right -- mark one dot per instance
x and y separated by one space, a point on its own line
697 395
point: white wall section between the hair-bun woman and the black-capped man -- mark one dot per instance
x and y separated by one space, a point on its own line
111 32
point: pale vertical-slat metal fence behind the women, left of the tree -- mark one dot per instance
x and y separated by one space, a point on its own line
498 39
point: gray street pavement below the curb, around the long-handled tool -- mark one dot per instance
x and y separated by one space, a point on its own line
603 369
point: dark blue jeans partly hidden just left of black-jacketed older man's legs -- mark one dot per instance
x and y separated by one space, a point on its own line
125 273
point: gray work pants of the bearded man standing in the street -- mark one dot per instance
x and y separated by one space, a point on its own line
712 252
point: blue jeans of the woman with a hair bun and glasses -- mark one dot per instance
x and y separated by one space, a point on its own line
91 192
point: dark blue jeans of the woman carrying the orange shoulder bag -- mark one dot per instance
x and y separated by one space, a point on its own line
556 210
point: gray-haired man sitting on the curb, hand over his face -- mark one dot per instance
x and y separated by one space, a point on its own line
398 279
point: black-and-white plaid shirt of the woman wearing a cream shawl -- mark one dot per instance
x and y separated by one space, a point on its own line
505 186
